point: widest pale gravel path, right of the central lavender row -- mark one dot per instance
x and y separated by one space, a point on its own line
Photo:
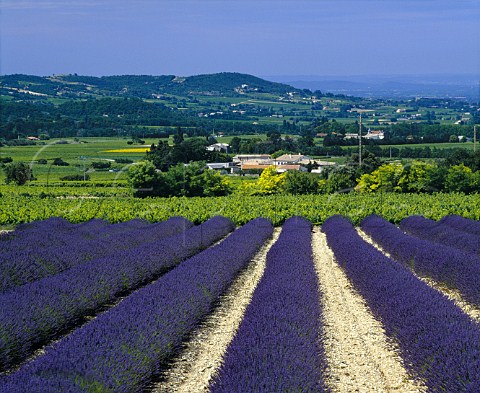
360 358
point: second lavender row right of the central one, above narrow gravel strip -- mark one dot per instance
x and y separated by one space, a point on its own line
450 266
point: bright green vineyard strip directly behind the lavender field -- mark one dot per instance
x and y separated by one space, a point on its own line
109 204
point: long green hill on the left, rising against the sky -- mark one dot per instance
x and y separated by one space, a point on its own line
227 84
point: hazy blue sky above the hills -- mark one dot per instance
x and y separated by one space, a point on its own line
260 37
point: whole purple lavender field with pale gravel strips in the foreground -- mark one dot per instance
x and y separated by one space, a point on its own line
172 306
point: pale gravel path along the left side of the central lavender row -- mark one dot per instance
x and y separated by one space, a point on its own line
193 369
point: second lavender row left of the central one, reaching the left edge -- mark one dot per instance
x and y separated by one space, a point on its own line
33 314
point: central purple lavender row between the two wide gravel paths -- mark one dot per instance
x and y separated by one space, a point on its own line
278 345
